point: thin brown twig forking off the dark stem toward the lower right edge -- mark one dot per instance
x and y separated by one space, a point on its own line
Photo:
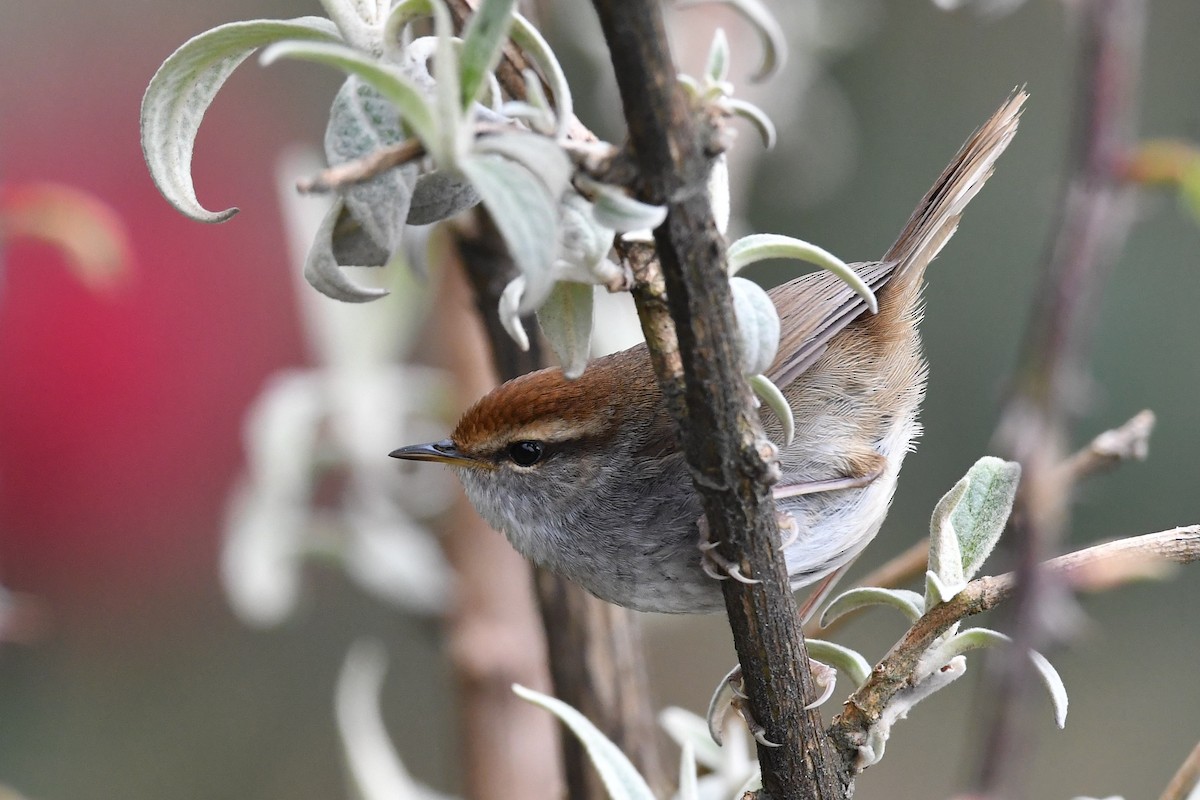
1093 569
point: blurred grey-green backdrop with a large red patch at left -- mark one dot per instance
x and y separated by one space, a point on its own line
122 412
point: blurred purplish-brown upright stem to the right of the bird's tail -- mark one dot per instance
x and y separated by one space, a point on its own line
1035 424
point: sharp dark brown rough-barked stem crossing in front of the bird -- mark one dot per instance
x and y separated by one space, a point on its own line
722 437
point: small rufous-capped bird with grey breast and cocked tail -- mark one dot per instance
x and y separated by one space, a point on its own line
586 478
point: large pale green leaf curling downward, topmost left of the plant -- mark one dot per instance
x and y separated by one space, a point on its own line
184 88
